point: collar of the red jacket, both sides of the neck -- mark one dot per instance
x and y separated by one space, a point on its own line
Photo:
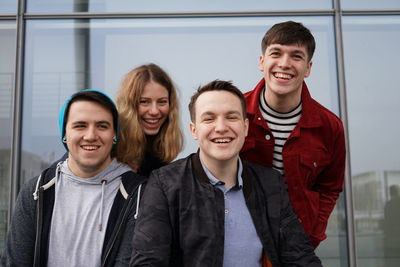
310 108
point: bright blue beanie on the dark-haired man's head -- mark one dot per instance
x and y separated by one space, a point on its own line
65 107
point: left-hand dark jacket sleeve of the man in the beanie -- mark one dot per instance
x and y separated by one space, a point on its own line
20 242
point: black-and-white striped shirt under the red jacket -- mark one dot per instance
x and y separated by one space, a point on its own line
281 125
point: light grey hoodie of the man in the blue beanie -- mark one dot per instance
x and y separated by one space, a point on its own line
80 215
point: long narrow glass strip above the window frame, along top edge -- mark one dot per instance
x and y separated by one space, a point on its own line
172 5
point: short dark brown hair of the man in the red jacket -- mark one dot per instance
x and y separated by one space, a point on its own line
287 33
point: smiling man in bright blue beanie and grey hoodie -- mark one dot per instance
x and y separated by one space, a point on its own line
81 211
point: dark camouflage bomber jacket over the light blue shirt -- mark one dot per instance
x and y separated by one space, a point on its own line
181 219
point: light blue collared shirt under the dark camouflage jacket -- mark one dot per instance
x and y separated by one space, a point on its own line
242 246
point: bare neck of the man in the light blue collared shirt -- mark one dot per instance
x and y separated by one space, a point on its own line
223 170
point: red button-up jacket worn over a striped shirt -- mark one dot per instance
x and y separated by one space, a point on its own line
313 158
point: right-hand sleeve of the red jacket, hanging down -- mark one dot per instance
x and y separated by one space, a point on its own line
329 184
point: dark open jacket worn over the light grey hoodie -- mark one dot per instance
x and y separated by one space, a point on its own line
28 235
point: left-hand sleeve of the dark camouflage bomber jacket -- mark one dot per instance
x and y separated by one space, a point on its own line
152 237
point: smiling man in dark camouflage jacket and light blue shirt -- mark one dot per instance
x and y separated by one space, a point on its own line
212 209
